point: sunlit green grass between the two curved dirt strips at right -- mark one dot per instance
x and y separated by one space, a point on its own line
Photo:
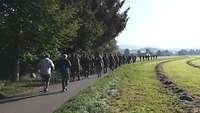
184 75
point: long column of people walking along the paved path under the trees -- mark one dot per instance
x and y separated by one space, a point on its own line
74 67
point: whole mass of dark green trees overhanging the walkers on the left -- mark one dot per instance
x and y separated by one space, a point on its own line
28 28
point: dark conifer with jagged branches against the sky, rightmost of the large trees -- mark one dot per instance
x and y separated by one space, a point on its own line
100 21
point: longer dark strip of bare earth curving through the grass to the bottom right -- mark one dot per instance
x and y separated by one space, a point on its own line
188 101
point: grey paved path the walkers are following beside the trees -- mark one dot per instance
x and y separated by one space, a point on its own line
44 103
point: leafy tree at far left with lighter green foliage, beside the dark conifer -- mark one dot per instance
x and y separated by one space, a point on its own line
31 27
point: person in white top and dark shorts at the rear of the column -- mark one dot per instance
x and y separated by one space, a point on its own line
46 66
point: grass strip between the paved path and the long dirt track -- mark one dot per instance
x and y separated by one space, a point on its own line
130 89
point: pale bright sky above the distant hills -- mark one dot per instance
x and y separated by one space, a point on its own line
165 24
